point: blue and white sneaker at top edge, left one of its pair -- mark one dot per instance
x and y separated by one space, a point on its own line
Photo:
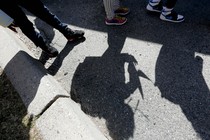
155 7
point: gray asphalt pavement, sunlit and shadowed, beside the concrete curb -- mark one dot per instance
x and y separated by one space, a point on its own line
148 79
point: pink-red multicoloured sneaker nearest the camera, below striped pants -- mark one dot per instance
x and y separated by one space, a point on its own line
117 20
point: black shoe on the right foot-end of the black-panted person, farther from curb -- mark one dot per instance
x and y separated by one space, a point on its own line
73 35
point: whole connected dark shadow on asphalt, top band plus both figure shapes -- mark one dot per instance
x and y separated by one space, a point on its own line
99 82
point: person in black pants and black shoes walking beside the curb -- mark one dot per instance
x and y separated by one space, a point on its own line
36 7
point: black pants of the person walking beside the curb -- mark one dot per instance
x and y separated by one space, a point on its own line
36 7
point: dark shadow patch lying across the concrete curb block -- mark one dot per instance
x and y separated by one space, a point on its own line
24 83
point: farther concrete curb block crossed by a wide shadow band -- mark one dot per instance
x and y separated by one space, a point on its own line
36 87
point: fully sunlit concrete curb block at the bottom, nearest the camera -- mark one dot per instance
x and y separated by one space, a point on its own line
64 120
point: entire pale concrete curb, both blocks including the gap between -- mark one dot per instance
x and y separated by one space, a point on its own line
59 117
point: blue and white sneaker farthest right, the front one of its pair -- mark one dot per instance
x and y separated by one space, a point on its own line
172 17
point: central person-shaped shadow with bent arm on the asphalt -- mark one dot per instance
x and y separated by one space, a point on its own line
99 86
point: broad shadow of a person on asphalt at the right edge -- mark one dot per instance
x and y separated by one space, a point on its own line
180 80
